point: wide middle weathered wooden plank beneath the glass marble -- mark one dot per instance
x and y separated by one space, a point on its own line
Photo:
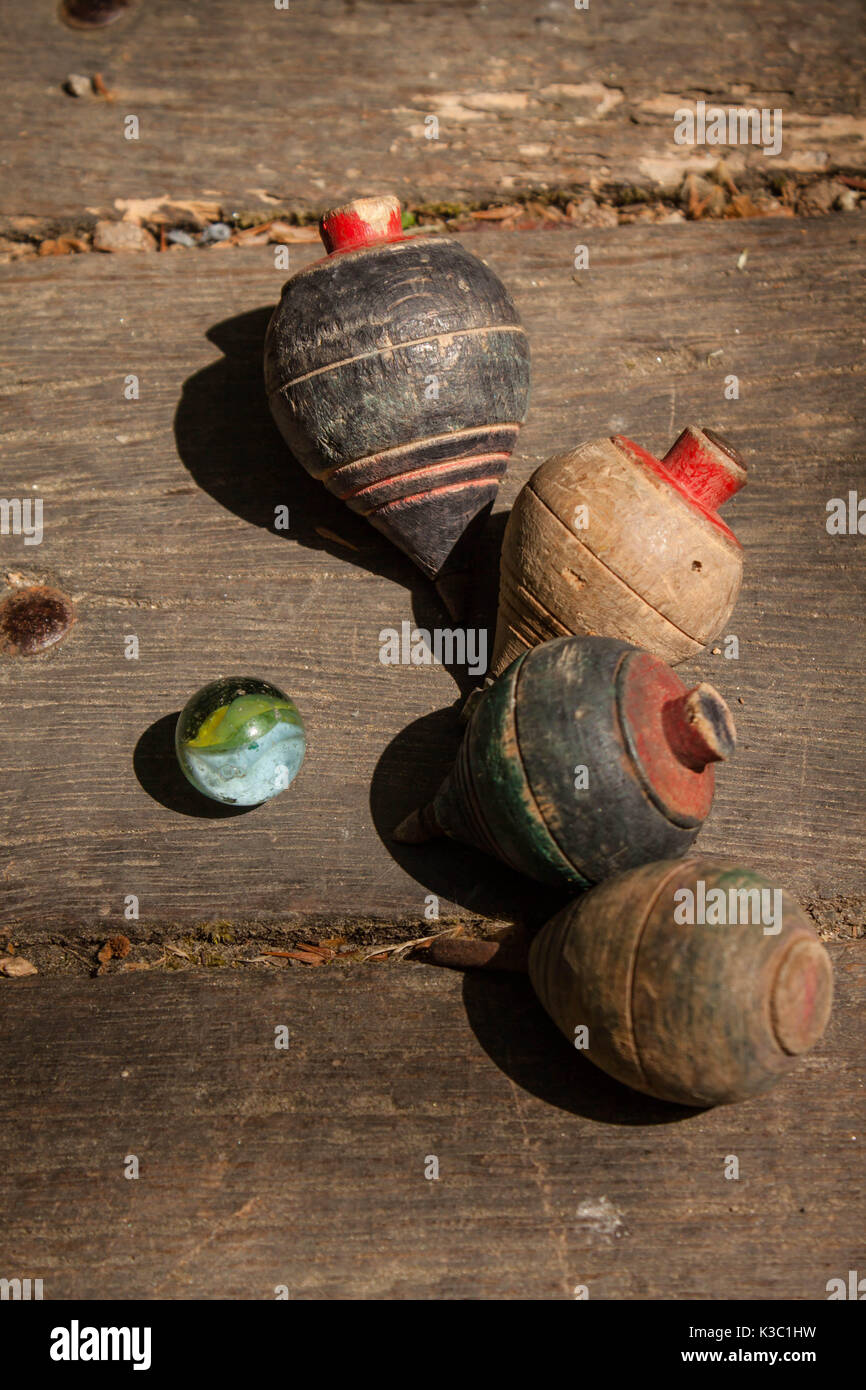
159 521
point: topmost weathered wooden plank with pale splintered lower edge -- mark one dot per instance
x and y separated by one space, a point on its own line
256 106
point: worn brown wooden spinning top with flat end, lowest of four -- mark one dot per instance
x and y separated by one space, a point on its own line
697 982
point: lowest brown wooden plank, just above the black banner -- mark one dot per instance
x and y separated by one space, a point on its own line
307 1167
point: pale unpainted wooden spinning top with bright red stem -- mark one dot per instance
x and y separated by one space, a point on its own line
608 540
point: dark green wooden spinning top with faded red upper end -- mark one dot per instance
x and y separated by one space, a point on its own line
585 760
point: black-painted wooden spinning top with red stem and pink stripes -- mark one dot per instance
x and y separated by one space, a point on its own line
398 373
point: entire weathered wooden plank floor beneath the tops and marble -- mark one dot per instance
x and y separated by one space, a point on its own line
305 1168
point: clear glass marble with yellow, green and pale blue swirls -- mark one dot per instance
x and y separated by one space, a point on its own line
241 742
